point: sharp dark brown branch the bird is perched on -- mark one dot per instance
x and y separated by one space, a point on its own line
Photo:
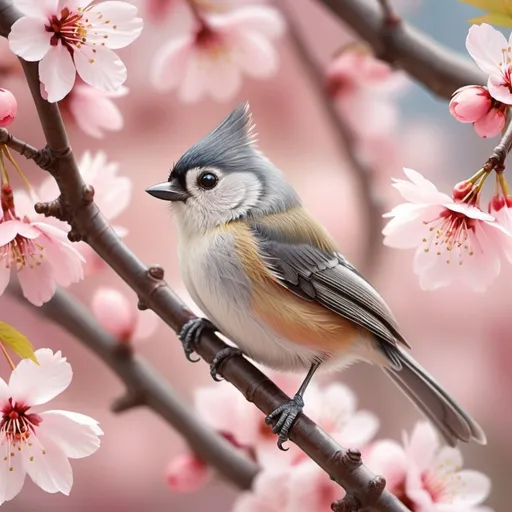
88 222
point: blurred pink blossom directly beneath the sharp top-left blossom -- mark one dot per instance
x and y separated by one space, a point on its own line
93 110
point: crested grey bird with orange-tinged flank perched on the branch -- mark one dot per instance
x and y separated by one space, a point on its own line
269 276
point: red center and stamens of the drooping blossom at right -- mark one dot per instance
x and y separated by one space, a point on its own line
450 234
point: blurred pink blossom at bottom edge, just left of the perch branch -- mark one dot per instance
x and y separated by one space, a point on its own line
303 488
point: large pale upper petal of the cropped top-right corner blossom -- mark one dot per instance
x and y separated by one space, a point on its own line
485 44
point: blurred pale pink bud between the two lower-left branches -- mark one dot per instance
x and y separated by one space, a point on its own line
114 313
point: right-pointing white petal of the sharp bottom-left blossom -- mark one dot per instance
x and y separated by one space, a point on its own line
75 434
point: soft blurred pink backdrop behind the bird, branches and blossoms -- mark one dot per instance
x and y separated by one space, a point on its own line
463 338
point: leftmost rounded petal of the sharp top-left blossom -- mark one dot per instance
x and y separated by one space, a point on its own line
29 40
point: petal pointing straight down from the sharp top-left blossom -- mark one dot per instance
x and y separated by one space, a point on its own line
57 73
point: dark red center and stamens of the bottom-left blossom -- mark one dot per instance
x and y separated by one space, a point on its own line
16 428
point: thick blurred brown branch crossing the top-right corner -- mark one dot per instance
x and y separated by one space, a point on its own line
438 68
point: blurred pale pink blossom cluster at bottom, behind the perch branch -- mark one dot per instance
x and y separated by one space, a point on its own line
424 475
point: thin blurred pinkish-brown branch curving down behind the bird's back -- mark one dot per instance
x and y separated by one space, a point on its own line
345 135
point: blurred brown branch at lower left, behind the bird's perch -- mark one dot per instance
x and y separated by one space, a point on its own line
145 387
